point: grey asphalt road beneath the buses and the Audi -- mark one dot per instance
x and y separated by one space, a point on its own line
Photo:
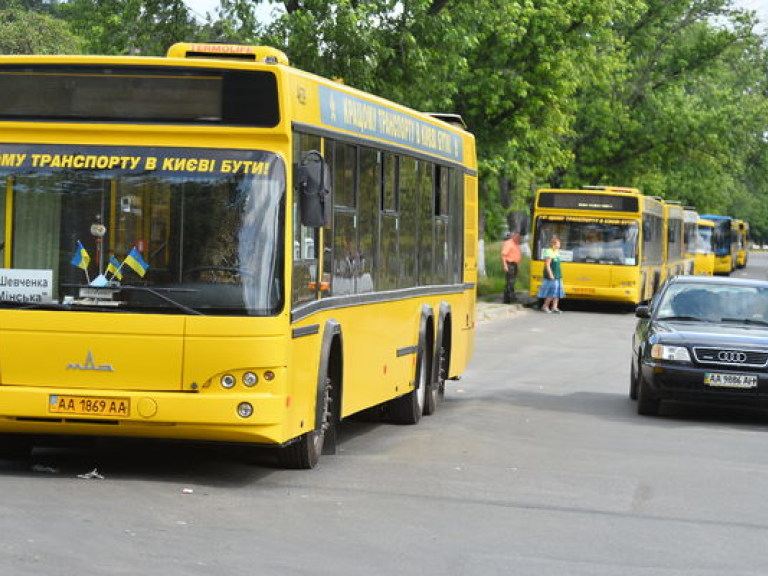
536 464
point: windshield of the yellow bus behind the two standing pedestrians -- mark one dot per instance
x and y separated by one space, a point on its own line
590 240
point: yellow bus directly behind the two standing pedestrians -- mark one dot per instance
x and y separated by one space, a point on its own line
612 242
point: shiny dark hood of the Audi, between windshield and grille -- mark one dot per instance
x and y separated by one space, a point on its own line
710 333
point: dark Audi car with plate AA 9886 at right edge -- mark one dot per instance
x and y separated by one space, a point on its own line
702 340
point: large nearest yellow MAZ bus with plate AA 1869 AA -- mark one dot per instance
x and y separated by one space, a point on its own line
216 246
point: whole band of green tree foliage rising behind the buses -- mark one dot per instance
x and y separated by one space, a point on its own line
667 95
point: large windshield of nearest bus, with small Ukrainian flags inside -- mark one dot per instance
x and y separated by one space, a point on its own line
161 230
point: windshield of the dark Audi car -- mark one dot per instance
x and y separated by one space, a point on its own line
714 303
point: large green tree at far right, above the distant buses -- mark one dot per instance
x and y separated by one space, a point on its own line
683 114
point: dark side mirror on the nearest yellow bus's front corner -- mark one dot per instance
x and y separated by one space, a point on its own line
313 185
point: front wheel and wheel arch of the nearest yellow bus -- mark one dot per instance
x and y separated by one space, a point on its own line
305 451
